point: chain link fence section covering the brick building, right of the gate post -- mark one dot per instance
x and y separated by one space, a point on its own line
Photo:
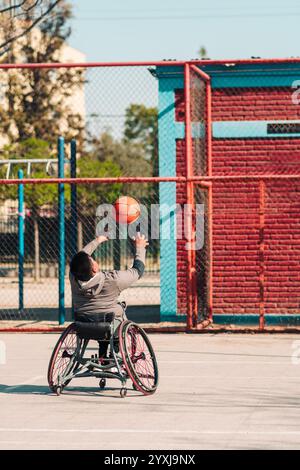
255 113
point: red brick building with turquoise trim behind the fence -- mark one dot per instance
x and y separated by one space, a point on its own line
255 131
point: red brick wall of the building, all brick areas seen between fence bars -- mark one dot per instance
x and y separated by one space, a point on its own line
236 217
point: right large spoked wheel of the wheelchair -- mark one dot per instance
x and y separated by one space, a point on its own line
138 357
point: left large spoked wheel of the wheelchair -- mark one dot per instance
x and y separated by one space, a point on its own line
62 359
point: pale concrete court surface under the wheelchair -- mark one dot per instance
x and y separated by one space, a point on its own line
217 391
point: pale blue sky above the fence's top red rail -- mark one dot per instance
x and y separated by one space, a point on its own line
161 29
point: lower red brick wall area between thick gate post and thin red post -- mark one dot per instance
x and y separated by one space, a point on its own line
235 247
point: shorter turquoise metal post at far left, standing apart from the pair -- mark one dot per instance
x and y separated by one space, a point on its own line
21 240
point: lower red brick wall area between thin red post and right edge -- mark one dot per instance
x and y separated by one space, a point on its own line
283 247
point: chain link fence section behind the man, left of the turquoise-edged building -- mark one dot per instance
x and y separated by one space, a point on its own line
112 112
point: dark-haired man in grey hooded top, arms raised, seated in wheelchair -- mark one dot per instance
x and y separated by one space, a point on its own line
95 291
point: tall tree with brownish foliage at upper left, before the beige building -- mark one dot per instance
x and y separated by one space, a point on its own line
39 102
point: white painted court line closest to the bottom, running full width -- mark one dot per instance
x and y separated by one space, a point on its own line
145 431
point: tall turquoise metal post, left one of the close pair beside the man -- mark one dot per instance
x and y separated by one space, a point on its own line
61 231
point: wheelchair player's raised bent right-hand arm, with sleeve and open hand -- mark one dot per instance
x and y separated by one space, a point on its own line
126 278
